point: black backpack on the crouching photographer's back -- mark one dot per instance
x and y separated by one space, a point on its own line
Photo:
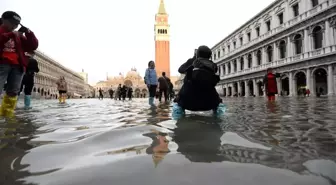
204 73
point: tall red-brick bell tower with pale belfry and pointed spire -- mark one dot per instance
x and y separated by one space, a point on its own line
162 45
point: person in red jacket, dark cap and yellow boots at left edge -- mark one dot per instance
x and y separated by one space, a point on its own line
13 62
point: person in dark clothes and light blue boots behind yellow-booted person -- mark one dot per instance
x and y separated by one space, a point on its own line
28 79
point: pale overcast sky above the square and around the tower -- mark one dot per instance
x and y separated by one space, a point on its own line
112 36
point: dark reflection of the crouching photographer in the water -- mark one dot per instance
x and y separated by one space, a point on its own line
198 141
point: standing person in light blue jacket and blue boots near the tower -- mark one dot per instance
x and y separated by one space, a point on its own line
151 82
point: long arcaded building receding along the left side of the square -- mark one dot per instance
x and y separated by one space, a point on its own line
50 71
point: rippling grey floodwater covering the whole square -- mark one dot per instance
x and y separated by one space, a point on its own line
93 142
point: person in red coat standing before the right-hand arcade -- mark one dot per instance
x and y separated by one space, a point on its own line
270 84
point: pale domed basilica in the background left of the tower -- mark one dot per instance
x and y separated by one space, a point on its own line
132 79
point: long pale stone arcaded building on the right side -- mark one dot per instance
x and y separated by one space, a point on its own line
296 38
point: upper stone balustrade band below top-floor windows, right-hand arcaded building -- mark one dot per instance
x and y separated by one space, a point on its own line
321 7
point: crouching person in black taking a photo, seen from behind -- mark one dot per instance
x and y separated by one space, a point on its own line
198 92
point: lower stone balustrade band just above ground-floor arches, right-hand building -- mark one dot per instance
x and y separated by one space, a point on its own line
286 61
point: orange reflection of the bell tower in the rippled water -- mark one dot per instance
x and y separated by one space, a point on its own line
159 147
